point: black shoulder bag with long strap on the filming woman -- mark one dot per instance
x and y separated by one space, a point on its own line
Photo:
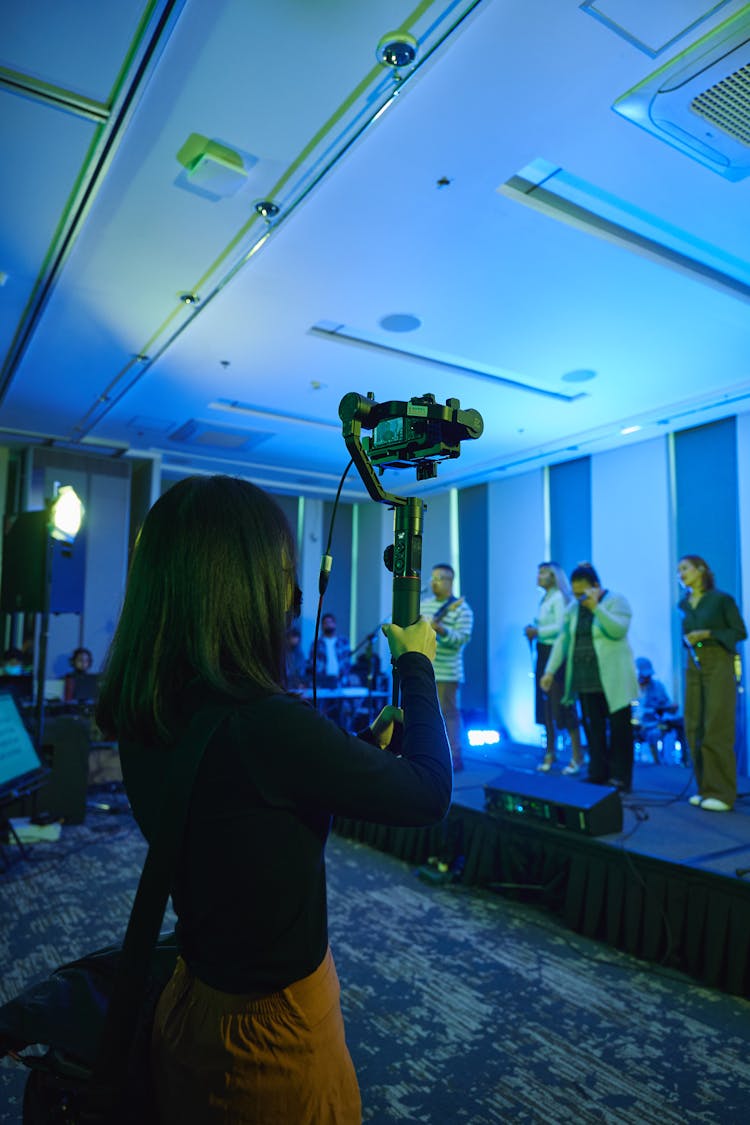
95 1015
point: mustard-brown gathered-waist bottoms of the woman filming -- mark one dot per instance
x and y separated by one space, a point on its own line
273 1060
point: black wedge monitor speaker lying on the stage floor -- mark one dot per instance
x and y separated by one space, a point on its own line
559 803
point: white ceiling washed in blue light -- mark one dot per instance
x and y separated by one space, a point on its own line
400 215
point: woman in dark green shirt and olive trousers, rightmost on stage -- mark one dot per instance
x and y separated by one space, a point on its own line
712 626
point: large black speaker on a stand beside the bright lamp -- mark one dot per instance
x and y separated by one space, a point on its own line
23 569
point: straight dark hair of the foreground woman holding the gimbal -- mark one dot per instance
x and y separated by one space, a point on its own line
211 586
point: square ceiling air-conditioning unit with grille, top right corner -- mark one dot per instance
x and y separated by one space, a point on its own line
700 103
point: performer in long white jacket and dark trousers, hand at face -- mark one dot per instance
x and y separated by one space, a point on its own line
601 672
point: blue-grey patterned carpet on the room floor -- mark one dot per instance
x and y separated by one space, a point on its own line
460 1006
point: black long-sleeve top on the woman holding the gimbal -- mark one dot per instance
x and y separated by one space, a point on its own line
250 892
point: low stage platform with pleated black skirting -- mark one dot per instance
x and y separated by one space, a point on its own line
672 888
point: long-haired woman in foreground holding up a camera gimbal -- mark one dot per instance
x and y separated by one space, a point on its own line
250 1028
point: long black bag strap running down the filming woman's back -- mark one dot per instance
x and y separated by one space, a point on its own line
152 896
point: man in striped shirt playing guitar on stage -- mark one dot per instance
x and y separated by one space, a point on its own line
453 620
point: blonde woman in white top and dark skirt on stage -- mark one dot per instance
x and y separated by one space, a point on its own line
550 712
